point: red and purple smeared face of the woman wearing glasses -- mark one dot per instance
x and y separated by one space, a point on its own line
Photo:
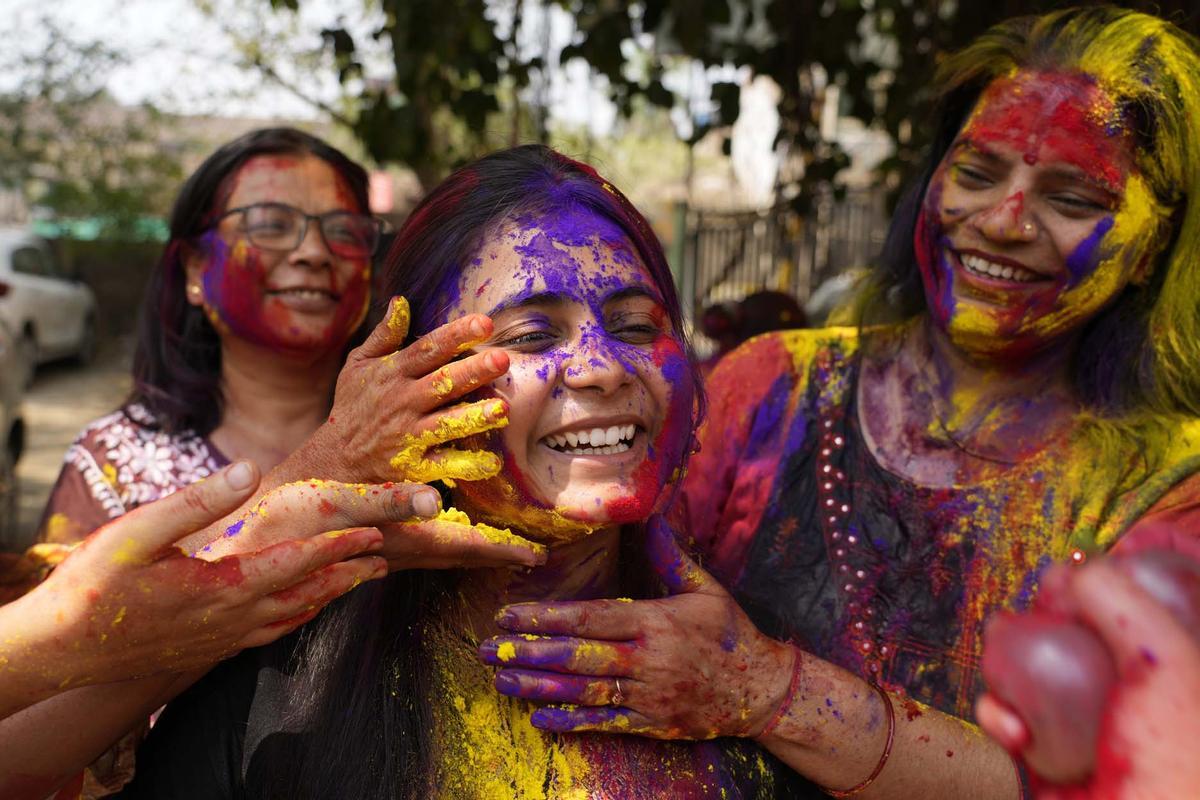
308 300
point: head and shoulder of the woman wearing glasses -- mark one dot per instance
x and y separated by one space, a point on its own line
260 292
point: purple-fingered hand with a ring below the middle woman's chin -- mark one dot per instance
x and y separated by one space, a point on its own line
688 666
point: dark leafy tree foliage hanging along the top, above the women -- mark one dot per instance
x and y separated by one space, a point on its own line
454 61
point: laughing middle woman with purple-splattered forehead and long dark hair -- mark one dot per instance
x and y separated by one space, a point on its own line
385 696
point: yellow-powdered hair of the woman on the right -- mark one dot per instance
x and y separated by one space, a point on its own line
1139 357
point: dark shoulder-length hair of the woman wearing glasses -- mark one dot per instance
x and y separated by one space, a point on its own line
177 365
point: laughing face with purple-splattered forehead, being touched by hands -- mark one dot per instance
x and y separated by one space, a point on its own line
599 390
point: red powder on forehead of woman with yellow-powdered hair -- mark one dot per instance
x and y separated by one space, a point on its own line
1053 116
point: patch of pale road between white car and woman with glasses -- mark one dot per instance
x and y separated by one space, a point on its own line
63 400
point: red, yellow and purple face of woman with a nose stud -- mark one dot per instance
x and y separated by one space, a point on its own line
1036 219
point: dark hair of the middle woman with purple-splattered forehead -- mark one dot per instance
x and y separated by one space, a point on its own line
363 685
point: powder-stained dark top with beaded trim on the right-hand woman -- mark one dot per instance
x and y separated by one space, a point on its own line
893 581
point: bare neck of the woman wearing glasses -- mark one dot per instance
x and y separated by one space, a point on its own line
273 401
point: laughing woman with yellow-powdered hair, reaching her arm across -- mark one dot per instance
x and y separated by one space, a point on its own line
873 496
